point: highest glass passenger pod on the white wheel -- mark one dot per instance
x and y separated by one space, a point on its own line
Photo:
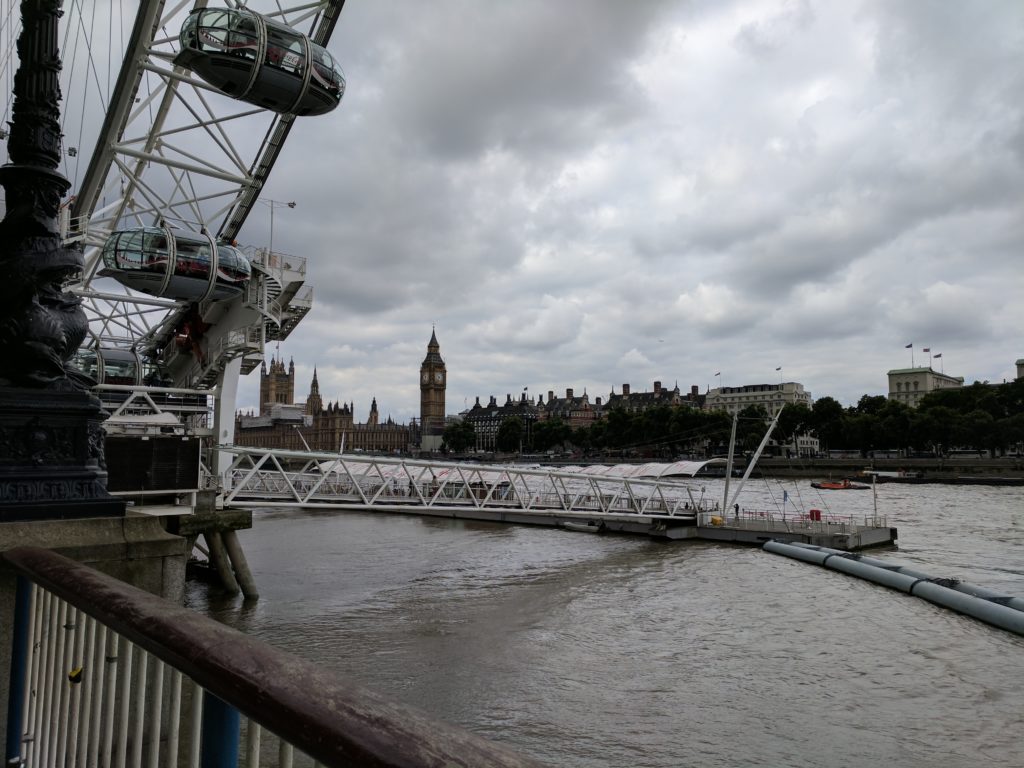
261 61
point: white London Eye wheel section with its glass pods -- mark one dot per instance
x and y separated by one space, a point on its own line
173 121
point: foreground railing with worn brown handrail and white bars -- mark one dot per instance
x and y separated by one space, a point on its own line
104 674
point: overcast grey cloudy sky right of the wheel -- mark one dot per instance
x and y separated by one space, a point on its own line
585 194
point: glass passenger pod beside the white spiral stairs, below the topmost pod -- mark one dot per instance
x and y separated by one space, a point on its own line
179 266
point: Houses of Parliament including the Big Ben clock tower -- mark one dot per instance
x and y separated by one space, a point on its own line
314 425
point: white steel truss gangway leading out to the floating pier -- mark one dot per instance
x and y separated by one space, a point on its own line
276 478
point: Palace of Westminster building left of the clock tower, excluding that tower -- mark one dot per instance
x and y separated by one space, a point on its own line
283 424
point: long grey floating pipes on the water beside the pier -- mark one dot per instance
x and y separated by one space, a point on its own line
1001 611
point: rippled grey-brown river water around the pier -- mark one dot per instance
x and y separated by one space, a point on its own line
608 651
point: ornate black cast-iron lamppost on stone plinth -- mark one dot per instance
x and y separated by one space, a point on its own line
52 442
